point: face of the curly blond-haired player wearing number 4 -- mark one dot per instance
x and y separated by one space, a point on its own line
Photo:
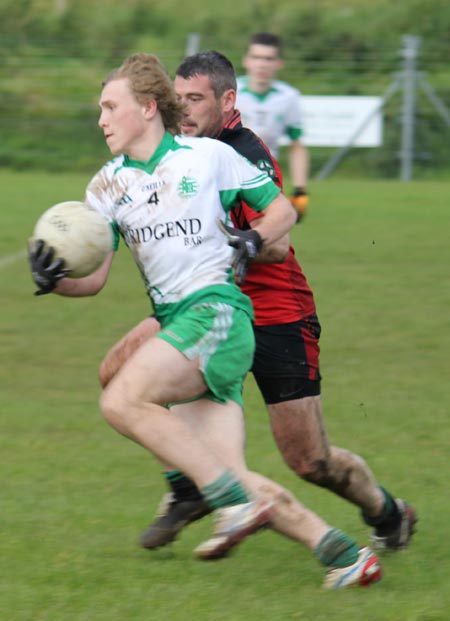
122 118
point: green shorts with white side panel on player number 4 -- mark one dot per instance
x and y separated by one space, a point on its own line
221 337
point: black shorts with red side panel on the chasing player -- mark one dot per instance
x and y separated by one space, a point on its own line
286 361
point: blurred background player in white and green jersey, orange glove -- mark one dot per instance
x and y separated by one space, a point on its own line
271 108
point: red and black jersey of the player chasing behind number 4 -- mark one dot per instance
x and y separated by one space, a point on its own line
279 291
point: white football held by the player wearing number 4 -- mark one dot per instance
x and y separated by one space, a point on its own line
79 235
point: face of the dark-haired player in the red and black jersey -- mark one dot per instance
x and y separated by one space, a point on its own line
204 115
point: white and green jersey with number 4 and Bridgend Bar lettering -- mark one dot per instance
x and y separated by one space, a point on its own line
166 210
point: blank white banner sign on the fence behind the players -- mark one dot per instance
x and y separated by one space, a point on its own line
331 121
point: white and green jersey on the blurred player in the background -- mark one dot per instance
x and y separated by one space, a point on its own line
273 115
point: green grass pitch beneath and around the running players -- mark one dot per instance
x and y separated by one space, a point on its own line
75 494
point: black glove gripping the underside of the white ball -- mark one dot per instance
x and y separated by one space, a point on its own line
45 269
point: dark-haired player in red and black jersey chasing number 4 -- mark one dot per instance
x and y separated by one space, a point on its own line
287 331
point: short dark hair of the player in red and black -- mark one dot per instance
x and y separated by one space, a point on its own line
215 65
